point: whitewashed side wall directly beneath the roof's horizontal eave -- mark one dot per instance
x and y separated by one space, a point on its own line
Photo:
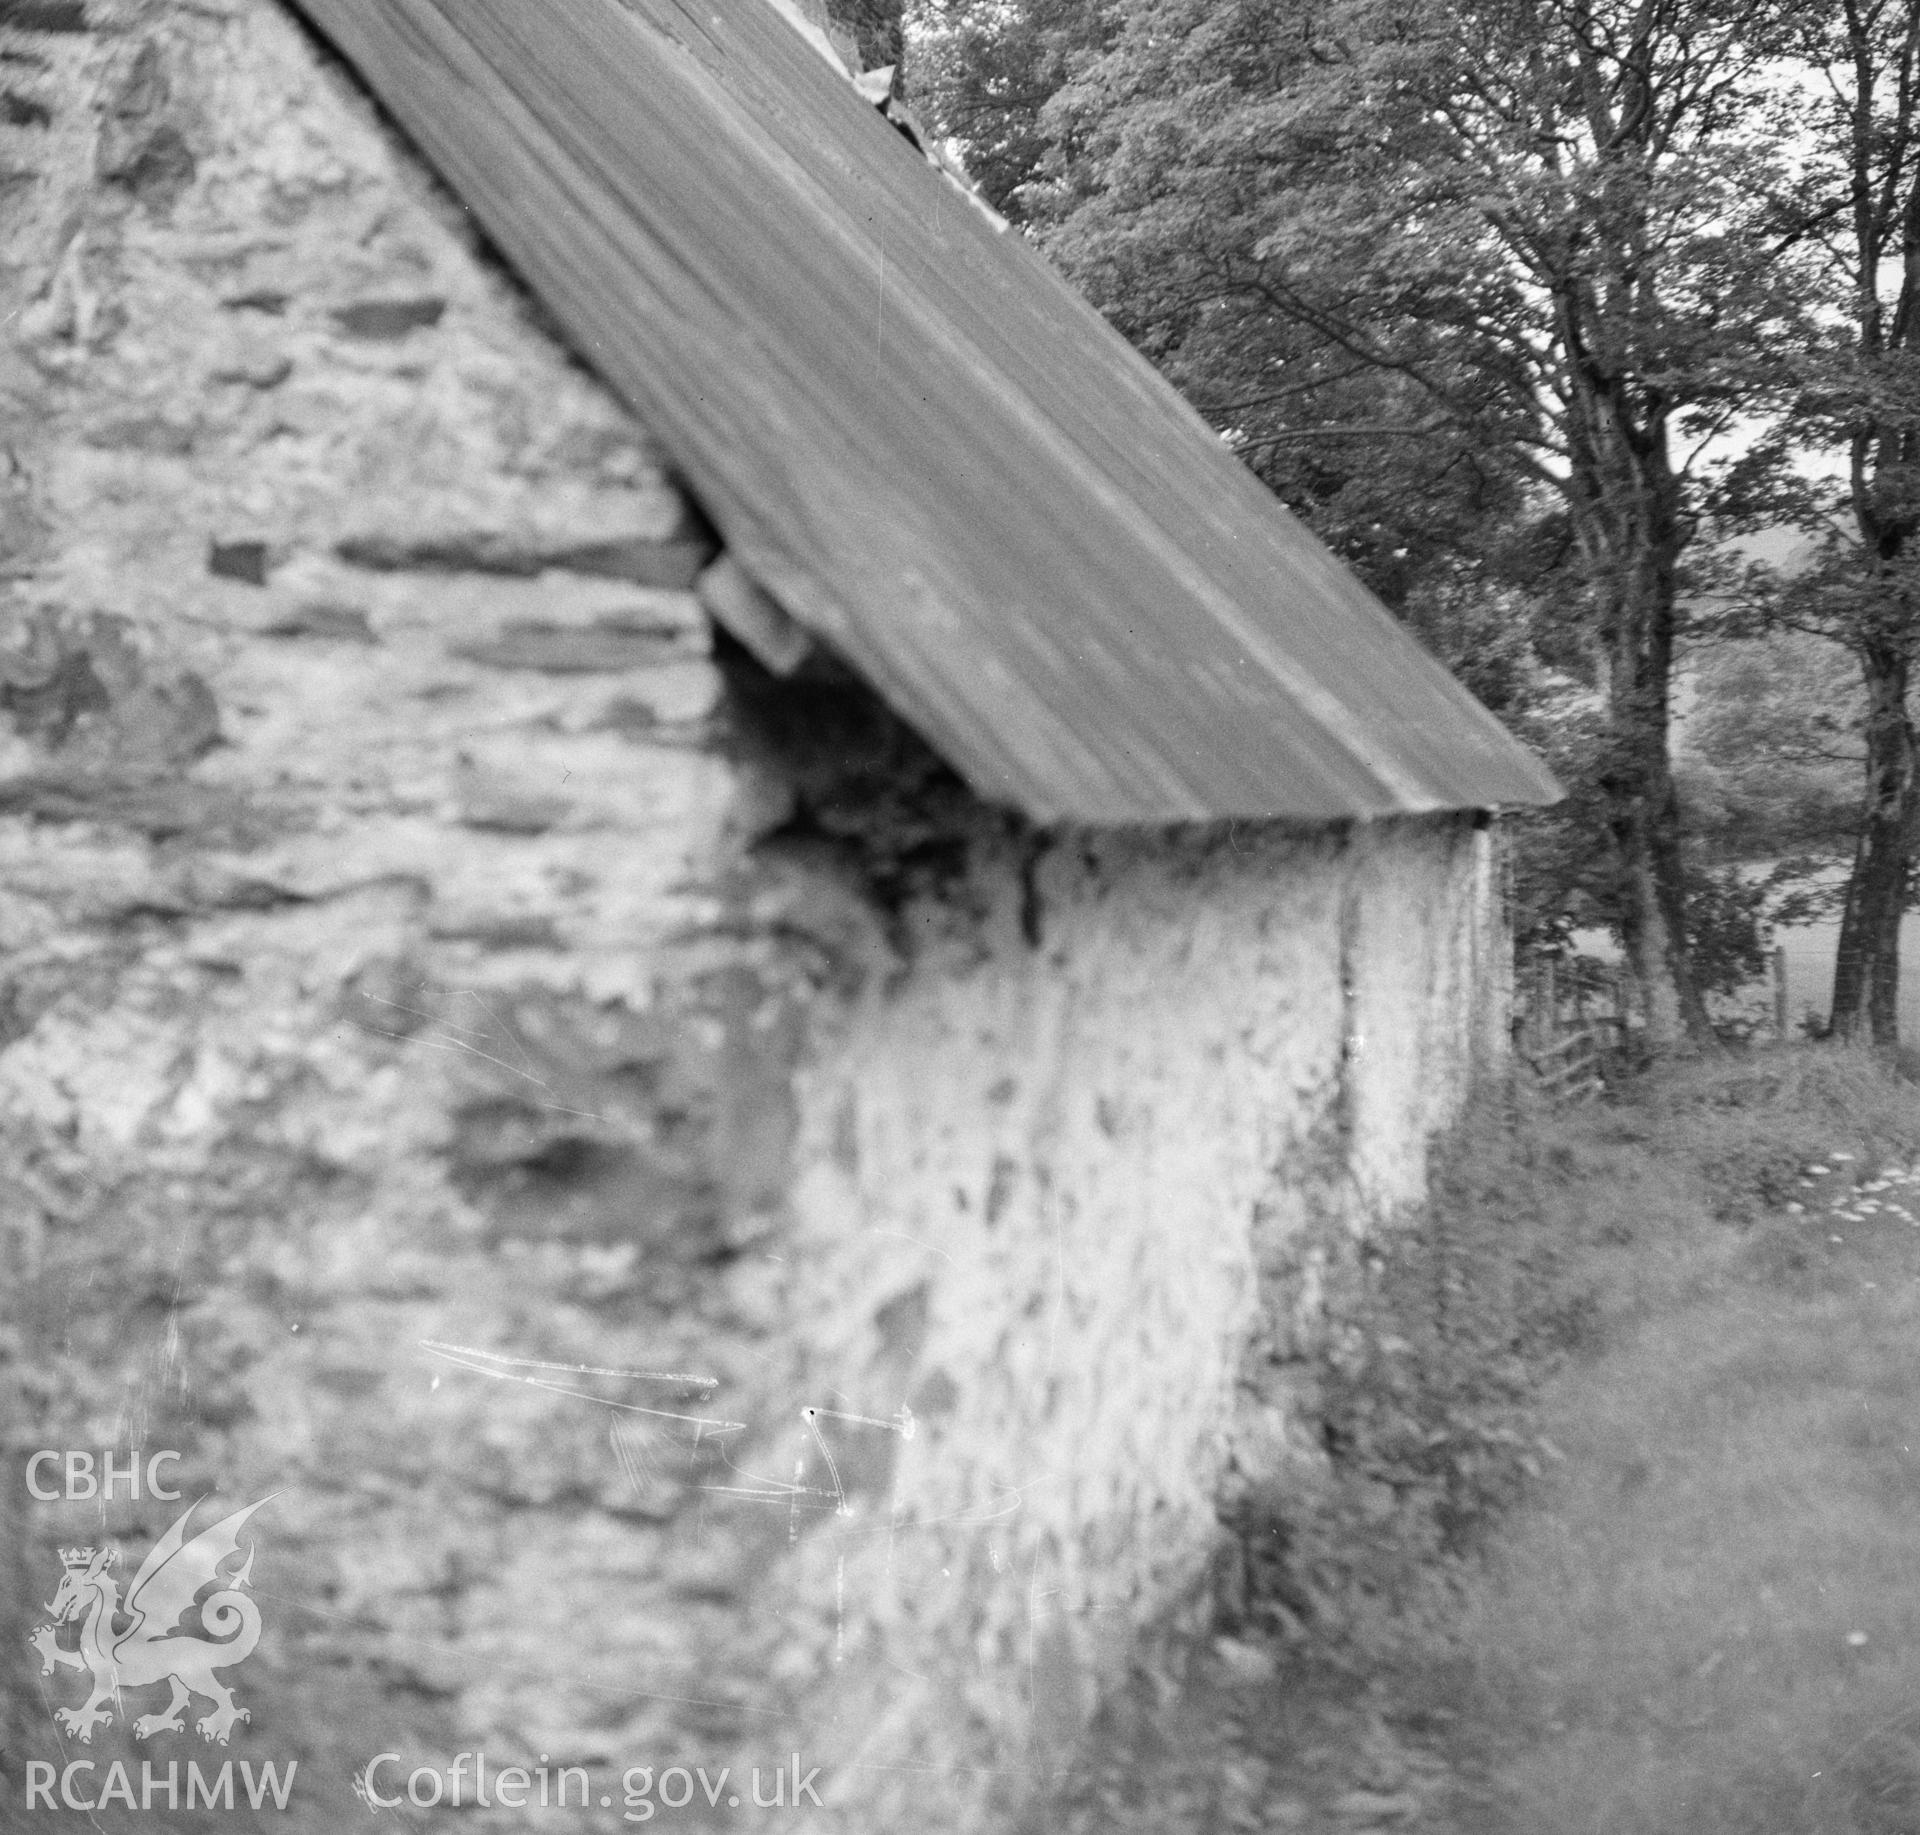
1090 1183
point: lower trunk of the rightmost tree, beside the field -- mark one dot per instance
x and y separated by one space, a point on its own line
1867 974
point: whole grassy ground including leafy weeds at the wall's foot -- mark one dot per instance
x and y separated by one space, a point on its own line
1625 1533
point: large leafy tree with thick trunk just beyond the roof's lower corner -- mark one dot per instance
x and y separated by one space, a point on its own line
1499 252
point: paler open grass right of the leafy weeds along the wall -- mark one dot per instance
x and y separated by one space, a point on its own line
1708 1619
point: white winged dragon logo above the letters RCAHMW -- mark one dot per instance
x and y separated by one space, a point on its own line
151 1650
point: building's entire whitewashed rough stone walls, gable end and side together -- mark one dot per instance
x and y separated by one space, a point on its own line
717 1245
